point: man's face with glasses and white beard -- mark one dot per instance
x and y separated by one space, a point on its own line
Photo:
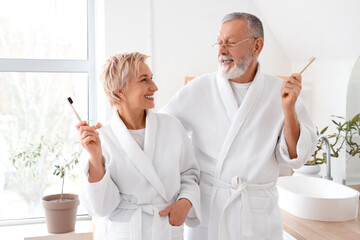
234 61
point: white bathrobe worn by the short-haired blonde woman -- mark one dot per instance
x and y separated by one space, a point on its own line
140 183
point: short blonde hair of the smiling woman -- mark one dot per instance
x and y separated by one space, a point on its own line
117 71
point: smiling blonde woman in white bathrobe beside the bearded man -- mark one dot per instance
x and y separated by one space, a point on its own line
141 176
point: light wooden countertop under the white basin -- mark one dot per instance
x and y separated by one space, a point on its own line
304 229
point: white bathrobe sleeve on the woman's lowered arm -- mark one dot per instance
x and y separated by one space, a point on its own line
190 178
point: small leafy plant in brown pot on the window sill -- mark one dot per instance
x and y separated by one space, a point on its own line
60 209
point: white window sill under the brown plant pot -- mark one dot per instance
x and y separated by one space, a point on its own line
83 231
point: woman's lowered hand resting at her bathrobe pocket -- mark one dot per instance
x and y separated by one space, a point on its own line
177 211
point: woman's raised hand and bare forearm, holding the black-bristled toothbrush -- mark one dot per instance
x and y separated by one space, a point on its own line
89 139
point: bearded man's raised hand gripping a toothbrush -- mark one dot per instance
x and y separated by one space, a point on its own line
290 91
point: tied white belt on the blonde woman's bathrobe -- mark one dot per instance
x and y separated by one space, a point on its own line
161 229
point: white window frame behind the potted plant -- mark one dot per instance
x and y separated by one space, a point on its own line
61 66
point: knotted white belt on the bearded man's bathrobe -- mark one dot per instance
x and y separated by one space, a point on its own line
238 188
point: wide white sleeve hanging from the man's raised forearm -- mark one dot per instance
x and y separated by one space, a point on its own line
307 140
